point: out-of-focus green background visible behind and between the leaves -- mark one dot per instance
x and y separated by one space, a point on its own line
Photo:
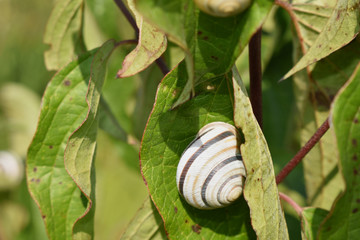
120 189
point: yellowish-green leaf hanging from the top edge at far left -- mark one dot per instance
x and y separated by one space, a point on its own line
64 33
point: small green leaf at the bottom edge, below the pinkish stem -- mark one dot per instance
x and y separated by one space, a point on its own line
311 218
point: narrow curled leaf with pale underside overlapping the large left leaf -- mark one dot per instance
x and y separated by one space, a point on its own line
81 145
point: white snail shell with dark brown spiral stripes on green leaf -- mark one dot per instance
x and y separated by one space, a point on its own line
210 171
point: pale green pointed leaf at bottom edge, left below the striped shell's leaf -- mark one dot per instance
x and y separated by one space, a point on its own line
147 224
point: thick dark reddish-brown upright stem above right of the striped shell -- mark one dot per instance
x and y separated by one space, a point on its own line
255 75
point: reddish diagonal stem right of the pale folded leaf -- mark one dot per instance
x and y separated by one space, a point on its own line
303 151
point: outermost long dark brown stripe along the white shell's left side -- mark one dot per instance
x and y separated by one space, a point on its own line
197 153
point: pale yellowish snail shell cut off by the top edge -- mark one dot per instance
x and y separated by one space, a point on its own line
223 8
